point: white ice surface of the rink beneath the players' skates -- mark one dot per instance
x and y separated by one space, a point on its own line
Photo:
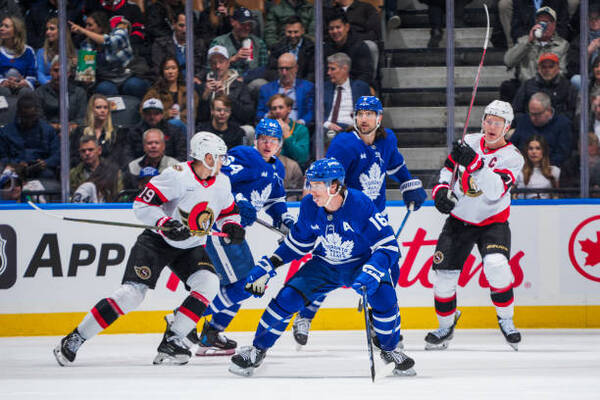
550 364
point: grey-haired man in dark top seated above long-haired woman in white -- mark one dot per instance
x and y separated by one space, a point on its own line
542 120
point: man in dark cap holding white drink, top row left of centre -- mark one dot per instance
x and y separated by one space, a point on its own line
248 58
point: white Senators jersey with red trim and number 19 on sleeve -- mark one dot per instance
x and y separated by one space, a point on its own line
197 203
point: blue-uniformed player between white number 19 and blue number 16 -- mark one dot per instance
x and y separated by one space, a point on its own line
256 176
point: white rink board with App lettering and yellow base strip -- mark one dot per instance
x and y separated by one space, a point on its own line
53 271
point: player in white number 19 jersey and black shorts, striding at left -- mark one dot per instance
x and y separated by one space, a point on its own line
189 198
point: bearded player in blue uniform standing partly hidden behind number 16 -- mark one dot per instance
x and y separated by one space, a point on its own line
368 153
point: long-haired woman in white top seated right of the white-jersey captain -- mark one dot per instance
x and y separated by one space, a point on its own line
537 172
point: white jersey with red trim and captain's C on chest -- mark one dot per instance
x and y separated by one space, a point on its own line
484 195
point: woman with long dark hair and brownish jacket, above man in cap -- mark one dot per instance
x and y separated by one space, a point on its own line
171 91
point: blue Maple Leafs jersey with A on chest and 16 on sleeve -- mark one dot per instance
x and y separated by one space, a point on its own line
350 237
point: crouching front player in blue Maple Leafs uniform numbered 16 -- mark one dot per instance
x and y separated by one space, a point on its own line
352 245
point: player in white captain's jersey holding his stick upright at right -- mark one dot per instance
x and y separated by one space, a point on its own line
479 206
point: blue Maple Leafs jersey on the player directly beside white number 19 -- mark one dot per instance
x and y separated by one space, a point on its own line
260 182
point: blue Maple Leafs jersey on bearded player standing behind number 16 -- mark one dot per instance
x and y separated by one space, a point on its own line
367 166
